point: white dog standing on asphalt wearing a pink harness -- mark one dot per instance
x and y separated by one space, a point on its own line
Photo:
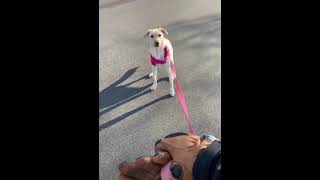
161 53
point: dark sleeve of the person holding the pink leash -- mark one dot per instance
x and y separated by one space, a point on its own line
208 163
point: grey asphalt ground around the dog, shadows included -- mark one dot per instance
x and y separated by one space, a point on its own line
131 117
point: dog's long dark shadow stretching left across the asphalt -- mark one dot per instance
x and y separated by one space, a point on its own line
116 95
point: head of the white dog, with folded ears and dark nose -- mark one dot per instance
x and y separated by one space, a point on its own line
156 36
